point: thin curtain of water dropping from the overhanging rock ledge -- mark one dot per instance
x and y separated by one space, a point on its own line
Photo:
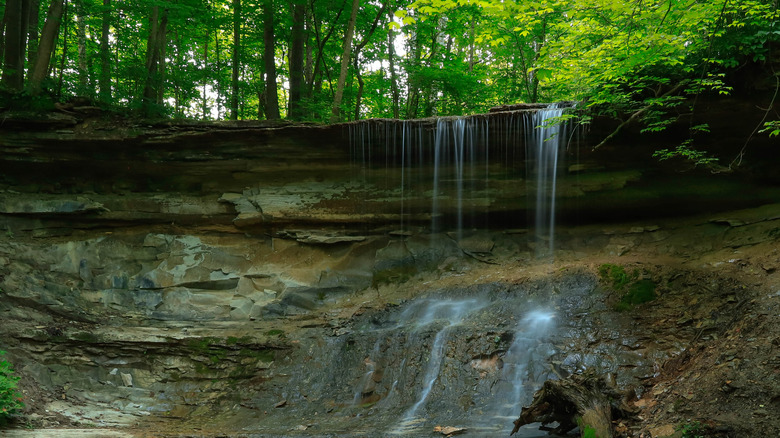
457 170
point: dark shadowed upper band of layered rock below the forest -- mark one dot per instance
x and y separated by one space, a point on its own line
358 178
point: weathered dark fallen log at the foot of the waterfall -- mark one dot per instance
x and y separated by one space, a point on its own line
584 400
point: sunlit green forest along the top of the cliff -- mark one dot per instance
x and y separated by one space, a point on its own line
342 60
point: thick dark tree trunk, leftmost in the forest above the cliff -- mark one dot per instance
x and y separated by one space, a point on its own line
15 42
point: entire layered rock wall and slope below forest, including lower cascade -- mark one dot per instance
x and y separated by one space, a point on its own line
242 280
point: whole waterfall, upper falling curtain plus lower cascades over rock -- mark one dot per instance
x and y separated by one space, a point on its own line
455 170
